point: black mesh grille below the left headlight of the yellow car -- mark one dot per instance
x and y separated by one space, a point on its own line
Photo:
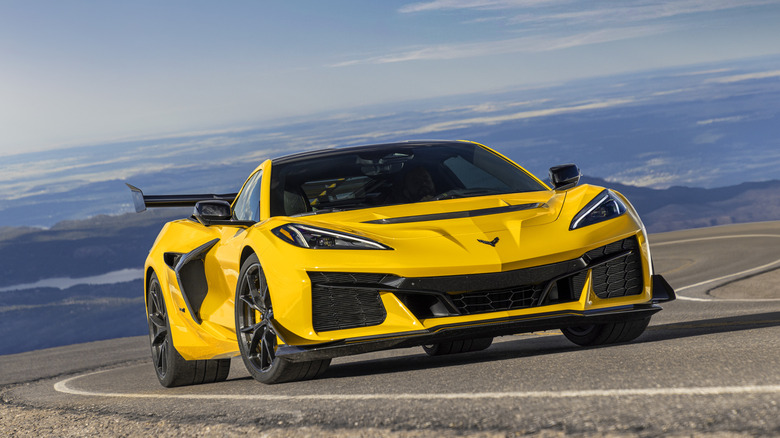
339 302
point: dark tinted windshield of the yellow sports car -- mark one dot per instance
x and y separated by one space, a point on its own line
392 174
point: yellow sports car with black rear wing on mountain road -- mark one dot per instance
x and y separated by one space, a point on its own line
439 244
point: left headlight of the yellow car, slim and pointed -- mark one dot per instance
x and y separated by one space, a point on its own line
306 236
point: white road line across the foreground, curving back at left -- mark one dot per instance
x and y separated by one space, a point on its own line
64 387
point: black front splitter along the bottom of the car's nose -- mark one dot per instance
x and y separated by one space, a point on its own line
662 292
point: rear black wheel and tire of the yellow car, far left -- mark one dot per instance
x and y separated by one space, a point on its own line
171 368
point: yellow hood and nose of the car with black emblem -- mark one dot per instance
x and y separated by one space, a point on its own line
462 236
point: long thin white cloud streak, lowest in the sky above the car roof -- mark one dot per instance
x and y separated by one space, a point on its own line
540 43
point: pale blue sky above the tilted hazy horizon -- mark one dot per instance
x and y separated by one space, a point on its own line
86 72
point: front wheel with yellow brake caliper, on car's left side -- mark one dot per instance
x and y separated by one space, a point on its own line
256 332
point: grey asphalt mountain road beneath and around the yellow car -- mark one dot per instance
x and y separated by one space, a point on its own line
709 364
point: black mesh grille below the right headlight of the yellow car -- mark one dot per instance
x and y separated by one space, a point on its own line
620 277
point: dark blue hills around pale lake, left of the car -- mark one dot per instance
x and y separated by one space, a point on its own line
43 317
